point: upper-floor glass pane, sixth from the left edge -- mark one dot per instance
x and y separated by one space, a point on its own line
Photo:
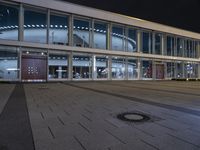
117 38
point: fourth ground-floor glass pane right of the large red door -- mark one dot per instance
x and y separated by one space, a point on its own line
118 68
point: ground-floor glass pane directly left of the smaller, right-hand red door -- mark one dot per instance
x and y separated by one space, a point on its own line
147 69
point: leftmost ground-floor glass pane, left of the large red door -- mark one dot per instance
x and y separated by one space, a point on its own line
9 67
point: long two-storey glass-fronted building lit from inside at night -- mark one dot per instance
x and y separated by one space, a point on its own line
51 40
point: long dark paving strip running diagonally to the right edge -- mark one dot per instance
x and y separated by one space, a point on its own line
144 101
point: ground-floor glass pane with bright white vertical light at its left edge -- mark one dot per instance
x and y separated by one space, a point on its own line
101 67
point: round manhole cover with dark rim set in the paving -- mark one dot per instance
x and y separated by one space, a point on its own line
133 117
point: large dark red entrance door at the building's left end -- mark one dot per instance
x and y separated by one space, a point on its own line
34 68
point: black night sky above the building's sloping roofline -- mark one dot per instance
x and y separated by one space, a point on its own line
183 14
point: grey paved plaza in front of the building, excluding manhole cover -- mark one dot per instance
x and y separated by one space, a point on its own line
82 115
